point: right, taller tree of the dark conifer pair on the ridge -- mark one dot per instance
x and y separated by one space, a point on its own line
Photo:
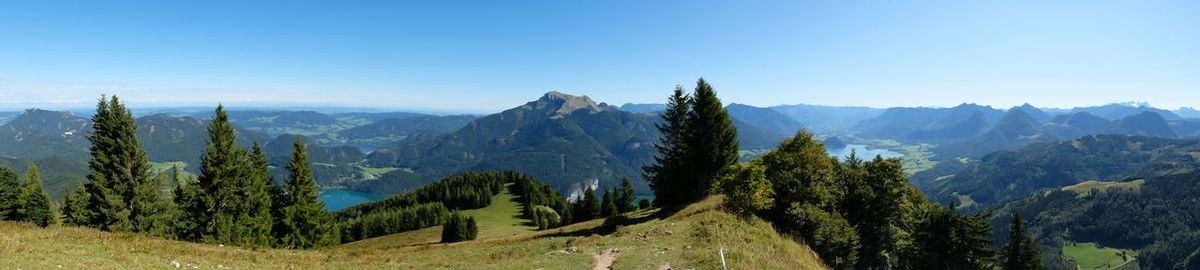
712 142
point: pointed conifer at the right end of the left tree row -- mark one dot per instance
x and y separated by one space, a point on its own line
307 221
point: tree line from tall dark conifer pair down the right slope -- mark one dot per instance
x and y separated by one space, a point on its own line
855 214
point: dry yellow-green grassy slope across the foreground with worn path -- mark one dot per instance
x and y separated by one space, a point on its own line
687 239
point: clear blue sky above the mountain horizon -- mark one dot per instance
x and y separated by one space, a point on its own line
489 56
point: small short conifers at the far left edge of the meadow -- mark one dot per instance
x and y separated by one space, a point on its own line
26 202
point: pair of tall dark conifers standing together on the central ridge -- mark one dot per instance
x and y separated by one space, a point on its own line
698 143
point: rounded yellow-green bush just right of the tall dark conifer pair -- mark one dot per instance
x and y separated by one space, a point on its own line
746 188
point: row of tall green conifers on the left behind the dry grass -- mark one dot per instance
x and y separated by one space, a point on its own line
235 202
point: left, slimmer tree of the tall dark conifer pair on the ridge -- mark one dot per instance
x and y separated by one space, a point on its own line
670 169
